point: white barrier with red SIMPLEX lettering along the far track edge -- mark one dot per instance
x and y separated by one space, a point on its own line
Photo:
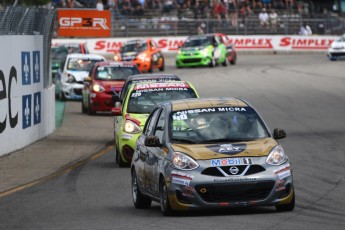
242 43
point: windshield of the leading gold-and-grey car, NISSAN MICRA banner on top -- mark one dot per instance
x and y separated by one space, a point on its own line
212 125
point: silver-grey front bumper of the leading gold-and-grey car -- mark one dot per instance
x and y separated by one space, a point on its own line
195 190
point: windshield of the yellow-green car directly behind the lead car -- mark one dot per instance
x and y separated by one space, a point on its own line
143 101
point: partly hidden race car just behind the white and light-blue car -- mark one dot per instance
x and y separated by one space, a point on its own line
60 51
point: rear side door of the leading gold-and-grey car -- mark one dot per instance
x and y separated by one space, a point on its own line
144 160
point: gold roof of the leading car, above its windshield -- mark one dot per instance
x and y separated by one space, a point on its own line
207 103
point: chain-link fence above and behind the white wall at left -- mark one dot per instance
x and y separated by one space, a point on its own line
31 21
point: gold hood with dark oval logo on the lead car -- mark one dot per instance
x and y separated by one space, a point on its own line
257 148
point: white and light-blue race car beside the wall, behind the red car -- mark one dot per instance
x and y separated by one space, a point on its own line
69 79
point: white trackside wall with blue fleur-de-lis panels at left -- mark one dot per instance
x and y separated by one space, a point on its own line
27 109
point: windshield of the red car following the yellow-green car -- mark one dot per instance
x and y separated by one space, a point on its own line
115 72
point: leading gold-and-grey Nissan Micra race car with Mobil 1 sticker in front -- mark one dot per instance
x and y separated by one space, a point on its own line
210 153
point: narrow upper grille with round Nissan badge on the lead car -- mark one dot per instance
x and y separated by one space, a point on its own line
224 171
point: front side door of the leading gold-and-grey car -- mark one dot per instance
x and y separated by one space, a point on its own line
155 155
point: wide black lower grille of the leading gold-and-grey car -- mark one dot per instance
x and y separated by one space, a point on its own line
247 191
